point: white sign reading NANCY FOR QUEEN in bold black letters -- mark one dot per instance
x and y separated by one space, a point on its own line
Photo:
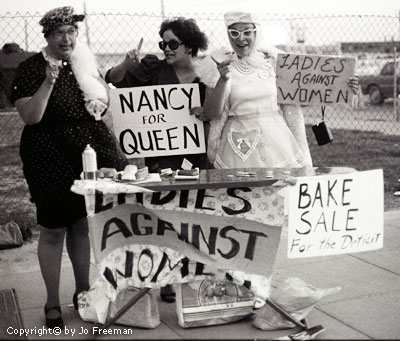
155 120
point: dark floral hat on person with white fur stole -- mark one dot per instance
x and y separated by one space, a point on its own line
58 17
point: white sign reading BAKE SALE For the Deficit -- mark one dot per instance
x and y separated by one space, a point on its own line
336 214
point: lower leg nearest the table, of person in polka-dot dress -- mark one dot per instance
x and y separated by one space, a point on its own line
78 247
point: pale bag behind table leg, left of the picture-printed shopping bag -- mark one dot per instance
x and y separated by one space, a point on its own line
143 314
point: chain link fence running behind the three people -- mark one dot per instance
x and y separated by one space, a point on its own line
373 40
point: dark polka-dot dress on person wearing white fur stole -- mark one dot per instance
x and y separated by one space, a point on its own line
51 150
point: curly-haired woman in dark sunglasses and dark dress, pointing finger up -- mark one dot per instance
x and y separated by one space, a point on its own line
181 42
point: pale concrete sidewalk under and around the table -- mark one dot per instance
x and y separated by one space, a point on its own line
367 307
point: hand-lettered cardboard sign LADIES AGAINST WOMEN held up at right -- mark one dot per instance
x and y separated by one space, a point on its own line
314 79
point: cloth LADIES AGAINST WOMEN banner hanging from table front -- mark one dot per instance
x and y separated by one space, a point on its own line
175 236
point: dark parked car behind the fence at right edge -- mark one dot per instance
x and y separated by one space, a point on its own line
380 86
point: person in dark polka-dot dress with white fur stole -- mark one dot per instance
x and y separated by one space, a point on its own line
59 97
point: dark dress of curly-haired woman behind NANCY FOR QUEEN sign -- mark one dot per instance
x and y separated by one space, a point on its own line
153 71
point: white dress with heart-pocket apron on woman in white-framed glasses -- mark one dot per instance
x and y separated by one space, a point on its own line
254 131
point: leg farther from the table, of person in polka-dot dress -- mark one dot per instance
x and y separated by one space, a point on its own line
50 248
